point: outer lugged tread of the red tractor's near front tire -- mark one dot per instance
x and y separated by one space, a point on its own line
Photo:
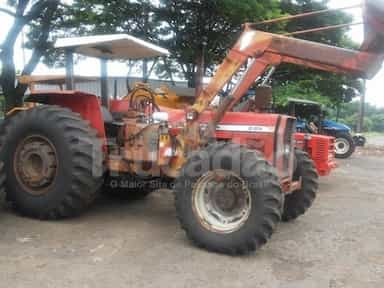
272 197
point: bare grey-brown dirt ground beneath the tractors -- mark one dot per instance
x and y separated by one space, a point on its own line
339 243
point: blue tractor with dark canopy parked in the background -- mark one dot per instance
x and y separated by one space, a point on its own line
311 119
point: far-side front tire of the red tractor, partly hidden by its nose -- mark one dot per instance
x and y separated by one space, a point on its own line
300 201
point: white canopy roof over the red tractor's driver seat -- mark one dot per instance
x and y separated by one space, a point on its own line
115 46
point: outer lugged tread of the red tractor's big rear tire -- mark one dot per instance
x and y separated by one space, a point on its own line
79 134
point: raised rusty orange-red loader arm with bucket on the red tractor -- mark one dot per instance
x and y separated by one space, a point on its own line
266 49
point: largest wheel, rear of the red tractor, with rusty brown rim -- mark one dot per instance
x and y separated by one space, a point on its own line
53 162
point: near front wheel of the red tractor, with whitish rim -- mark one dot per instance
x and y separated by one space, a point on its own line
228 199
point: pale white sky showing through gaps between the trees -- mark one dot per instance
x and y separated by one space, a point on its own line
87 67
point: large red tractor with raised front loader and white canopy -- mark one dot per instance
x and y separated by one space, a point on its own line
235 174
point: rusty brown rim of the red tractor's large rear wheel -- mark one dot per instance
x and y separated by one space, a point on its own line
35 164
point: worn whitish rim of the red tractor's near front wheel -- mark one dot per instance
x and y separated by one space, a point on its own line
221 201
